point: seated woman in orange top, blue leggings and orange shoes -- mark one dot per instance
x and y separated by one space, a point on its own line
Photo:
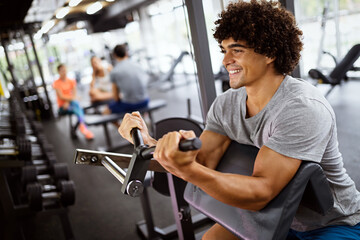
66 95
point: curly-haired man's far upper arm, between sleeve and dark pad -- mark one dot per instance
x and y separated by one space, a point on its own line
213 147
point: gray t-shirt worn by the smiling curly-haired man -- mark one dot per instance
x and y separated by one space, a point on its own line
297 122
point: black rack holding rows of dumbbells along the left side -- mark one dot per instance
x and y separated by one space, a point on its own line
18 132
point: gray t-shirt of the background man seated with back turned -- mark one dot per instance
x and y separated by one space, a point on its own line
131 80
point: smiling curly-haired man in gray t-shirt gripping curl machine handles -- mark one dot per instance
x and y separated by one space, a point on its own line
286 118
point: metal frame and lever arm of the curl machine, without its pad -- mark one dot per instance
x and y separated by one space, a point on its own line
134 183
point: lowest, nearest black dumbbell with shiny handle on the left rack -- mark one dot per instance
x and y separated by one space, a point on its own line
40 196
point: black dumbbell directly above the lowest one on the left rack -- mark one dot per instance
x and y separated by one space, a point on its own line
42 173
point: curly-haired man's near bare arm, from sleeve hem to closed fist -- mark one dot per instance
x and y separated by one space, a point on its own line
272 172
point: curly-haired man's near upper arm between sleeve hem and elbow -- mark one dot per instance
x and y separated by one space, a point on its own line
274 170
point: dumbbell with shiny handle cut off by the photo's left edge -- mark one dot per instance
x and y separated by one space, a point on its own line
20 147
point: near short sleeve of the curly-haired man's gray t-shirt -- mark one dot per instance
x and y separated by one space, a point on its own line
302 130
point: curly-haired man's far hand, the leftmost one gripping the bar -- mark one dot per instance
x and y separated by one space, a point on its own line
134 120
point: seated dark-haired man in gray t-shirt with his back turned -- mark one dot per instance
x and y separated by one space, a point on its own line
129 84
